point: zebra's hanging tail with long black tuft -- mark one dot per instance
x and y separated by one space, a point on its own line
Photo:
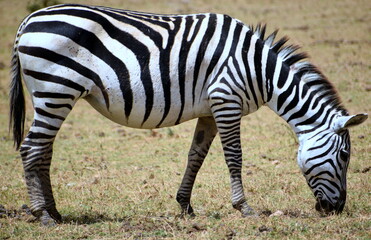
17 111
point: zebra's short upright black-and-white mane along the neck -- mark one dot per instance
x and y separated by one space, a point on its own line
306 71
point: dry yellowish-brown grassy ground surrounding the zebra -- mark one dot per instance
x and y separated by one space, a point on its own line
112 182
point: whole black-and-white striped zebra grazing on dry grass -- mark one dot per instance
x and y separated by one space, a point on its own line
149 71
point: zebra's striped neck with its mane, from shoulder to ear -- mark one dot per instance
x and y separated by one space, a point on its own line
296 90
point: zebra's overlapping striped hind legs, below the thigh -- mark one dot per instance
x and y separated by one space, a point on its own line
36 152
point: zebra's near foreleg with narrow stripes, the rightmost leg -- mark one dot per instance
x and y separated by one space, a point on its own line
227 114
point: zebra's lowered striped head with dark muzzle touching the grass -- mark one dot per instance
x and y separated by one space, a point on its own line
323 158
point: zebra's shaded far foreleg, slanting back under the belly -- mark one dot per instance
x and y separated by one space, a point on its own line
202 139
